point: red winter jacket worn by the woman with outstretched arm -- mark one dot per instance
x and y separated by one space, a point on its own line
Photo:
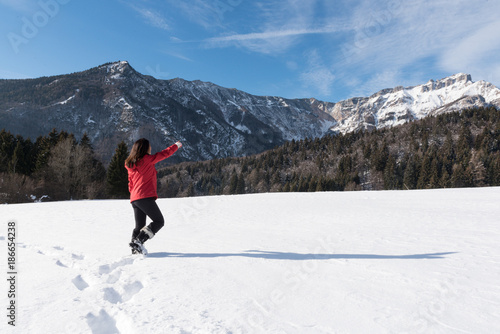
142 176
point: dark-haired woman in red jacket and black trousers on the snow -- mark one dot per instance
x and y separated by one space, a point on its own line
140 166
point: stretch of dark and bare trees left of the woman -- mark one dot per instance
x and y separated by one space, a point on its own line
55 167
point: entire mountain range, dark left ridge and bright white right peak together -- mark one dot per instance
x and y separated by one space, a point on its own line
113 102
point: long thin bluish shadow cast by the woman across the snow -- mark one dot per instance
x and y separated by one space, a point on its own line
297 256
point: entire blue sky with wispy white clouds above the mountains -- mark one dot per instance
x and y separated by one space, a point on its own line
327 49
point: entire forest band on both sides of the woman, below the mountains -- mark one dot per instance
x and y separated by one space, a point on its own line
459 149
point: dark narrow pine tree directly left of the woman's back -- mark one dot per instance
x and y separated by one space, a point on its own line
117 176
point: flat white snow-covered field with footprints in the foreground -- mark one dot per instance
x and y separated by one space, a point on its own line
350 262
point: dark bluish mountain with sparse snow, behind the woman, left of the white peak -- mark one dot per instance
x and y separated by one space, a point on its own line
113 102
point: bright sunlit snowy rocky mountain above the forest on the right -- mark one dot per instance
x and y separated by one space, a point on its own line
396 106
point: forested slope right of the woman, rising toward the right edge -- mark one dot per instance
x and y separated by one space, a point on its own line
458 149
